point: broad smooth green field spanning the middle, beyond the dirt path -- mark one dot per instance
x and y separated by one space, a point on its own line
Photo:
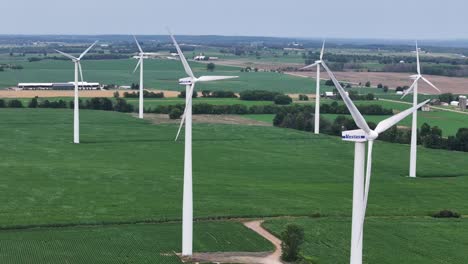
129 170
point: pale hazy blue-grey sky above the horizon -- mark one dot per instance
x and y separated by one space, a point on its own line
389 19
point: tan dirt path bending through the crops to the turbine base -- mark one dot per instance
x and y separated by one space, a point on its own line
245 257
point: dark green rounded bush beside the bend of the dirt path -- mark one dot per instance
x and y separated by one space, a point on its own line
291 241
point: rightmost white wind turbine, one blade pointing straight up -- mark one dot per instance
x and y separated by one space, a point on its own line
414 133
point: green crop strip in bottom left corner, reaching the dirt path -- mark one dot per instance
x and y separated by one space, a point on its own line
144 243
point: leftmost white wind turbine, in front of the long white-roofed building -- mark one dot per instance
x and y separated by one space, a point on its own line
76 114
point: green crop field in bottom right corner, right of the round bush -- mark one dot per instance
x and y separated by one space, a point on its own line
386 240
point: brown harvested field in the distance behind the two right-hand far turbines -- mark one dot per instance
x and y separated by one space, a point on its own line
454 85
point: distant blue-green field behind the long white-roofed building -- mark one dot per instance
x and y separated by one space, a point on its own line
159 74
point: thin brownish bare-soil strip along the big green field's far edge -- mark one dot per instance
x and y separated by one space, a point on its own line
208 119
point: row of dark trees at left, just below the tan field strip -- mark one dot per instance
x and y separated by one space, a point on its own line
96 103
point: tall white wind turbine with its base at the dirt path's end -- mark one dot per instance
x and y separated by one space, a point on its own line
187 206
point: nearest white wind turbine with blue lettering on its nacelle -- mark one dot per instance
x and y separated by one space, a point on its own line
360 185
